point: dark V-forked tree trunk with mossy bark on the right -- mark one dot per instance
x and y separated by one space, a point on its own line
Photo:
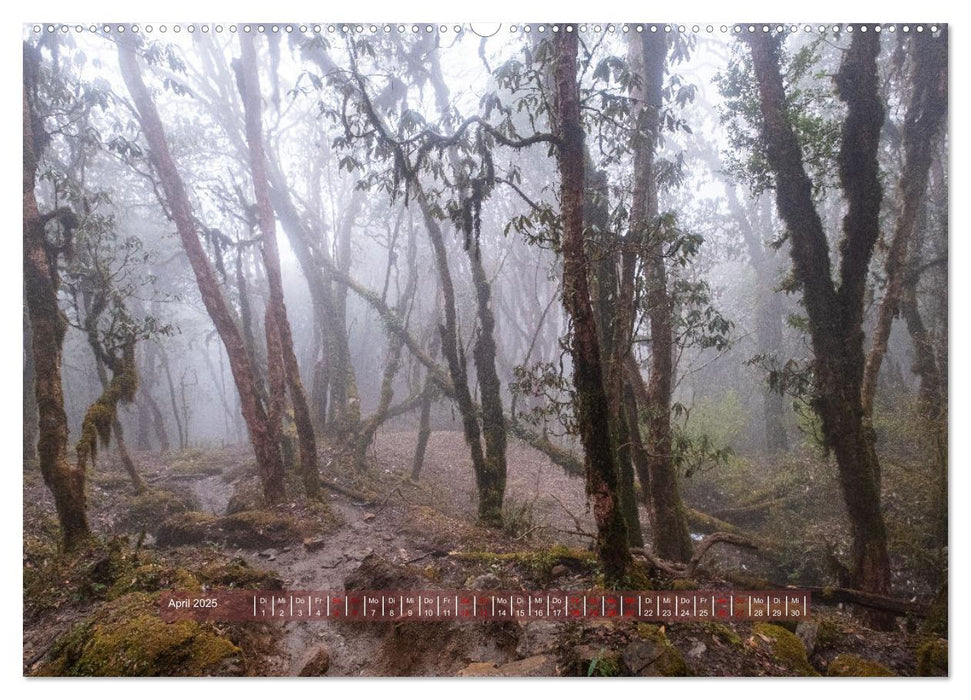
835 314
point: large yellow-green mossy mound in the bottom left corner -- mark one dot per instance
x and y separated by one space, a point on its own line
128 638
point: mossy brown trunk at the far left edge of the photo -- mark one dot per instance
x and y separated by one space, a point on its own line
47 326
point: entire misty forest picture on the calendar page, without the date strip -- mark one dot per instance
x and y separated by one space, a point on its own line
569 307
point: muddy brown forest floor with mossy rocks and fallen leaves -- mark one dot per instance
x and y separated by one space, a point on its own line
200 524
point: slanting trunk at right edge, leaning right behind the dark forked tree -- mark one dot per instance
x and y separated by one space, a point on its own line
925 115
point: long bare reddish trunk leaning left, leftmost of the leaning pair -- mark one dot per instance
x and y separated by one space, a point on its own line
264 446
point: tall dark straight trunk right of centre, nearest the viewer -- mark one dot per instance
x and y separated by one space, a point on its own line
593 410
